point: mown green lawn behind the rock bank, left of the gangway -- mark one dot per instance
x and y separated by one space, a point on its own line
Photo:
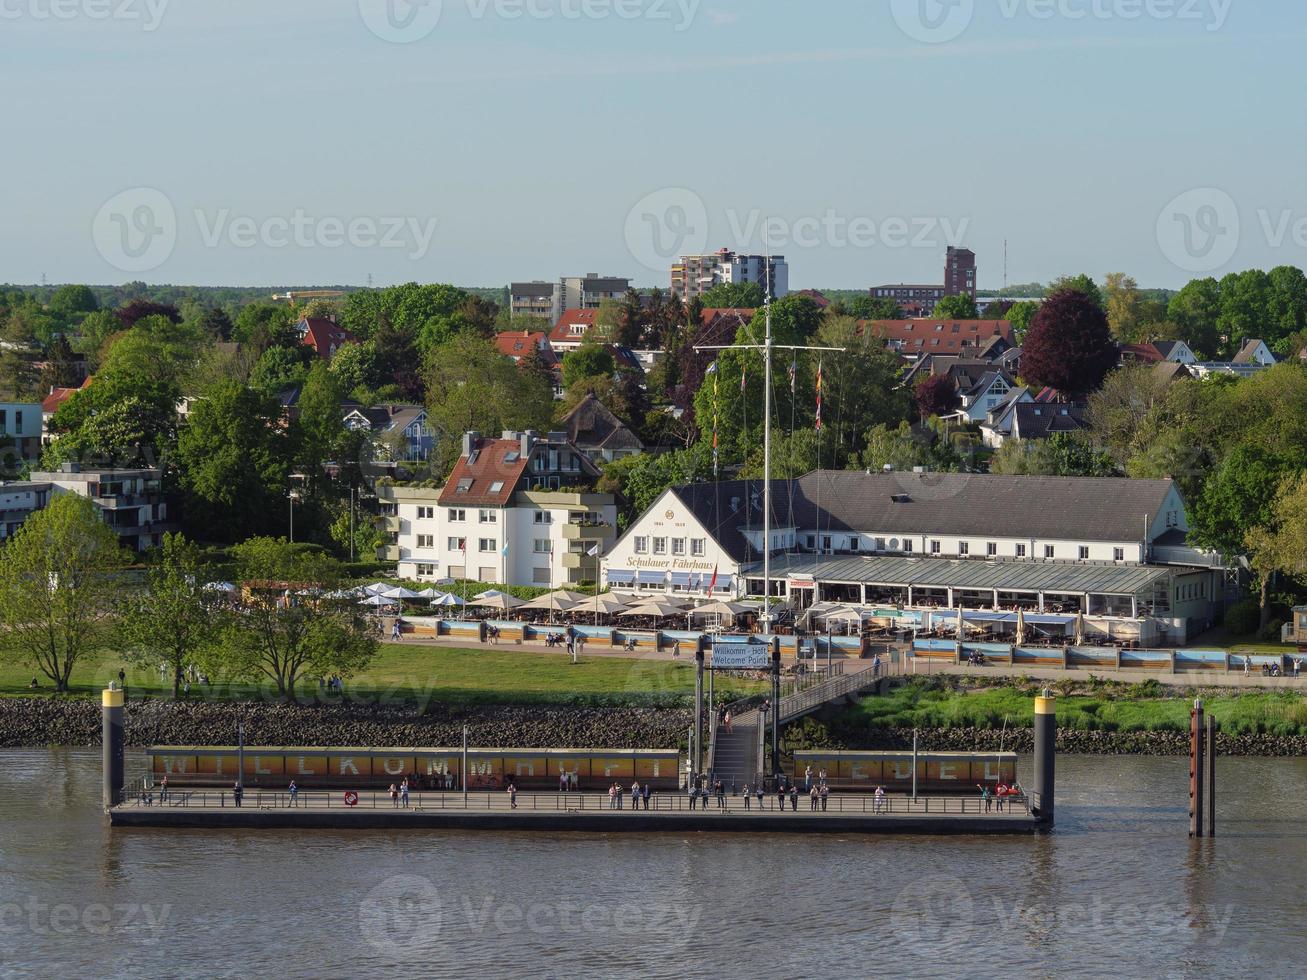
432 674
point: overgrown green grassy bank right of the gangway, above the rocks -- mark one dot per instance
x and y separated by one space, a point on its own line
1106 708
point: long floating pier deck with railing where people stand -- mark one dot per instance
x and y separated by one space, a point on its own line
572 812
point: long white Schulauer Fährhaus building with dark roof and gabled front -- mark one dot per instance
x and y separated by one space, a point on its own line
1113 551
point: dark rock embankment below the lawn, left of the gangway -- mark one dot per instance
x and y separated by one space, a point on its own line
29 723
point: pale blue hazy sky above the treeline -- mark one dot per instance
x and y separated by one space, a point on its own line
292 143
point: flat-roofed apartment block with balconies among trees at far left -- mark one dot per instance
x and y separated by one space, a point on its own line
131 501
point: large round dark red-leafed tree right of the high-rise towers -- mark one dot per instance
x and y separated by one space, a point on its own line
1070 346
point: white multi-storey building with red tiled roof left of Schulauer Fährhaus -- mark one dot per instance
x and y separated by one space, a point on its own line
518 512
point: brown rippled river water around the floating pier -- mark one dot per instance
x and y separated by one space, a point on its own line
1118 889
